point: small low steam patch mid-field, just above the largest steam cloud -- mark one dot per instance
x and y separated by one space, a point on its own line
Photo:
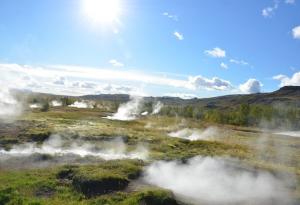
195 134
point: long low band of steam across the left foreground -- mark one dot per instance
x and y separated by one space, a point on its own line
56 146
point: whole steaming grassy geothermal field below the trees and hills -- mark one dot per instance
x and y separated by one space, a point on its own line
137 152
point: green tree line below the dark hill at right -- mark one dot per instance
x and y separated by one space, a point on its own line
242 115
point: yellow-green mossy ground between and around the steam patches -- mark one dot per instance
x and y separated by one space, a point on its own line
63 184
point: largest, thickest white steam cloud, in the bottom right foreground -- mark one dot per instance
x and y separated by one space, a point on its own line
216 181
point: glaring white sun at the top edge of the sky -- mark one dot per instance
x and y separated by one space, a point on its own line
102 11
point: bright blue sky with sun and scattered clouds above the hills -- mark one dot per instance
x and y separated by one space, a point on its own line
184 48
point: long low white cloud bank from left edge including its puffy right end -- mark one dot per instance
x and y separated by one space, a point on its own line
90 80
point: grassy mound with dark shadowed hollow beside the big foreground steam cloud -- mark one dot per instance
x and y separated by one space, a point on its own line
101 179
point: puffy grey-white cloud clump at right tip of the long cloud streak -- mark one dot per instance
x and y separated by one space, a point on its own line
210 84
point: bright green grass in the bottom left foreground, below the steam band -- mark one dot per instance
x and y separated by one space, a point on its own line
52 186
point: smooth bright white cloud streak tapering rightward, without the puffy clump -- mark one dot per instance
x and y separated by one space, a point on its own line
46 74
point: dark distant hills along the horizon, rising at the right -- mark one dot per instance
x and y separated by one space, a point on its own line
287 96
